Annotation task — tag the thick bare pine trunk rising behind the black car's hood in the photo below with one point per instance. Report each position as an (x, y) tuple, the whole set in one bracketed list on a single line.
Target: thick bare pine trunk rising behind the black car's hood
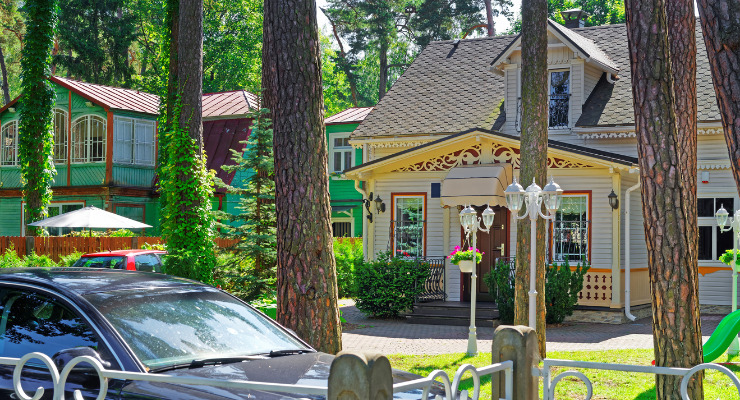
[(291, 76)]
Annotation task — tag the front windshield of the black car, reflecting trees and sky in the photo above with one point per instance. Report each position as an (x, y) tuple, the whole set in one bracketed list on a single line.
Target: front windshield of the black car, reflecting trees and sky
[(173, 326)]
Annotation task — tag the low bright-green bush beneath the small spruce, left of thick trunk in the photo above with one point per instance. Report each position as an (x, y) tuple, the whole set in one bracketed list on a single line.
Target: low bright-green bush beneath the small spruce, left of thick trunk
[(237, 276)]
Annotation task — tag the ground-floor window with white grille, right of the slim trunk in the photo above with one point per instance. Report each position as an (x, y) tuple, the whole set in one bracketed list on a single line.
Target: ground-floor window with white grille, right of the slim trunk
[(570, 239)]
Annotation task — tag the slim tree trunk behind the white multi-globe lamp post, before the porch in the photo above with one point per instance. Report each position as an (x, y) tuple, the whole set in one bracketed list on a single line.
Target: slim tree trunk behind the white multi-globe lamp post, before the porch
[(533, 157)]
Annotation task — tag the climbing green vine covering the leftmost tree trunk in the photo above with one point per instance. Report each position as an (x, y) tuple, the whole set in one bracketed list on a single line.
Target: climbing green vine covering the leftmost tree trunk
[(36, 138)]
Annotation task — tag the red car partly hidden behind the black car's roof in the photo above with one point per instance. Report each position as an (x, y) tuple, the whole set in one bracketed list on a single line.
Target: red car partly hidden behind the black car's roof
[(133, 260)]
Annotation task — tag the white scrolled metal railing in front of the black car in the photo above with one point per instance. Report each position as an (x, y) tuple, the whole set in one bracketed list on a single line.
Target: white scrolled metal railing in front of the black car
[(59, 380)]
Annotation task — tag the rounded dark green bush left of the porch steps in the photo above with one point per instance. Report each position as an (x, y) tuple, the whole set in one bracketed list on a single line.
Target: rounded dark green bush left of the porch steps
[(388, 285)]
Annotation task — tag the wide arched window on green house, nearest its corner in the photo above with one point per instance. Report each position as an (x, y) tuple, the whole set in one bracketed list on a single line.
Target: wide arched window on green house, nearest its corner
[(88, 139)]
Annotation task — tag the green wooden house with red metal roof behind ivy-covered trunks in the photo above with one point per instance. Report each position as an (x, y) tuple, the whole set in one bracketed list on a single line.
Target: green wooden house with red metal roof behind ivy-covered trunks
[(105, 150)]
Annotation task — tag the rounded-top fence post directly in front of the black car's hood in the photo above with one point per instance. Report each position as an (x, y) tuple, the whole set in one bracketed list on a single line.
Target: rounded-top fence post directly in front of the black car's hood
[(356, 376)]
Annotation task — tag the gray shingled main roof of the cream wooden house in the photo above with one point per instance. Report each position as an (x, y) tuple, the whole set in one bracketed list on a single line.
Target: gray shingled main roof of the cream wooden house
[(449, 89)]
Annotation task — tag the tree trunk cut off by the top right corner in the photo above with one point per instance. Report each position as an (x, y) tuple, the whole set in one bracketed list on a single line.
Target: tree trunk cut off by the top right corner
[(720, 23)]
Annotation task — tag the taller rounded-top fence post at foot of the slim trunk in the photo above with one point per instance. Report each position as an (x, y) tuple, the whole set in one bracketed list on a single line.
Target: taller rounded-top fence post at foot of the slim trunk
[(518, 344)]
